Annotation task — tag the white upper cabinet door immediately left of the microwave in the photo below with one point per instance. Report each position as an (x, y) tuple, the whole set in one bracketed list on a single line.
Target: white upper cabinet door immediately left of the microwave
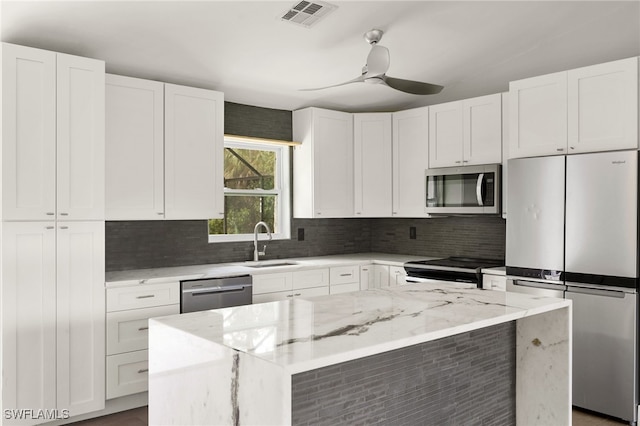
[(410, 160)]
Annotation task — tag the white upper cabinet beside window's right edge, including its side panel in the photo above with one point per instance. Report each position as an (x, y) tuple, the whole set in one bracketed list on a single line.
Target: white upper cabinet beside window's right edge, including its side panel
[(323, 164)]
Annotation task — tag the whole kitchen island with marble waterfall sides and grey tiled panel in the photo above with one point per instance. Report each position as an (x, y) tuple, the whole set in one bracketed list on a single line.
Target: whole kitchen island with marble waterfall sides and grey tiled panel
[(415, 354)]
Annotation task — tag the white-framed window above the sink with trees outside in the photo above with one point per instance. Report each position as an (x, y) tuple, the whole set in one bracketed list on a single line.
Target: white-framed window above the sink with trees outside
[(256, 188)]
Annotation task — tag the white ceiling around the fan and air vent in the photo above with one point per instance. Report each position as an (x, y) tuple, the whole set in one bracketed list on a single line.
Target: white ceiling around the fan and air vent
[(243, 49)]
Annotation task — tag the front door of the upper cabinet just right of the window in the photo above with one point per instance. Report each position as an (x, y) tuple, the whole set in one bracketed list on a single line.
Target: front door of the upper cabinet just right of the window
[(333, 163)]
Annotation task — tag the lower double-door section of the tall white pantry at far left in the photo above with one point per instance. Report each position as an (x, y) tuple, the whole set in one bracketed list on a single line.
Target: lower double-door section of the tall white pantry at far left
[(53, 316)]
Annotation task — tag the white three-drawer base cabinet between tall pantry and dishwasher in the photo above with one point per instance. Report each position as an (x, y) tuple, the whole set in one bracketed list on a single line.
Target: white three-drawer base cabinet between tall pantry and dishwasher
[(128, 311)]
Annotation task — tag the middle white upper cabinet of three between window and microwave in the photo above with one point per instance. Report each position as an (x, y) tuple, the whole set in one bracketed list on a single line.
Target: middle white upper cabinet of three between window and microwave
[(372, 164)]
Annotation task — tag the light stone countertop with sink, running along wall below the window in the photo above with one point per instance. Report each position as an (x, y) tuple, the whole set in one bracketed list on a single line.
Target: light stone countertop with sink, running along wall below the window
[(215, 270)]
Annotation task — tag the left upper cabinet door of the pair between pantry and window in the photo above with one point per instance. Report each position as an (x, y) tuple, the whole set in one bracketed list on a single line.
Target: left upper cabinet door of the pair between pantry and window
[(134, 149)]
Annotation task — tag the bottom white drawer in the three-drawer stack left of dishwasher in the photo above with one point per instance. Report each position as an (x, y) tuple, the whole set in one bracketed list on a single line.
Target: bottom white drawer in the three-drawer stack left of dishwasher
[(127, 373)]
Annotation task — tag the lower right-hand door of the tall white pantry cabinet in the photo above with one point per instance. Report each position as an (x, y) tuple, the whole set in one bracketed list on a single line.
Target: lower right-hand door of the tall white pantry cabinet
[(80, 316)]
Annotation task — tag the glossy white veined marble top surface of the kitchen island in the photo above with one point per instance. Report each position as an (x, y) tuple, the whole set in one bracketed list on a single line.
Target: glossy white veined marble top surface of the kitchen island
[(300, 335)]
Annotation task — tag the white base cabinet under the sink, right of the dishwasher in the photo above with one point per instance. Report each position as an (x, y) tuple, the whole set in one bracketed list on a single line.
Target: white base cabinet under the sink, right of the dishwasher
[(284, 285)]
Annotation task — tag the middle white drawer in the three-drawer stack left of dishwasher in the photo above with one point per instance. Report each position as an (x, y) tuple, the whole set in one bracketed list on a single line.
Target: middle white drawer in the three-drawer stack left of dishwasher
[(128, 331)]
